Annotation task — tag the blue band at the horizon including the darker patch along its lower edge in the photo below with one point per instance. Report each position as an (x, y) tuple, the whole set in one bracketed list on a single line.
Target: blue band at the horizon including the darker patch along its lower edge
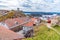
[(41, 13)]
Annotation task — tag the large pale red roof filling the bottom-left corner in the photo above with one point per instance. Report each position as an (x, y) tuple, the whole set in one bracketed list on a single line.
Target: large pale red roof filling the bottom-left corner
[(6, 34)]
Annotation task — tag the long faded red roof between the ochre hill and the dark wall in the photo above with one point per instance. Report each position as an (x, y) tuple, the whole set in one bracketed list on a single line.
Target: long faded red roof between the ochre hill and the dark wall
[(11, 22)]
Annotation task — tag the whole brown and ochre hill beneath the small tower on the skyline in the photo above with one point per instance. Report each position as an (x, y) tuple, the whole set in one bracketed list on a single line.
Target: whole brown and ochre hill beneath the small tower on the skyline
[(11, 14)]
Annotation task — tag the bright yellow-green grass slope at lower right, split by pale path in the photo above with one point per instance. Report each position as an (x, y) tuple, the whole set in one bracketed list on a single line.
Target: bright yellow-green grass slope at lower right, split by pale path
[(43, 33)]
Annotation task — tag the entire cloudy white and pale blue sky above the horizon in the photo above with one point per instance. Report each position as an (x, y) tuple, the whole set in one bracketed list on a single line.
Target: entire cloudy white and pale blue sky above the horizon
[(31, 5)]
